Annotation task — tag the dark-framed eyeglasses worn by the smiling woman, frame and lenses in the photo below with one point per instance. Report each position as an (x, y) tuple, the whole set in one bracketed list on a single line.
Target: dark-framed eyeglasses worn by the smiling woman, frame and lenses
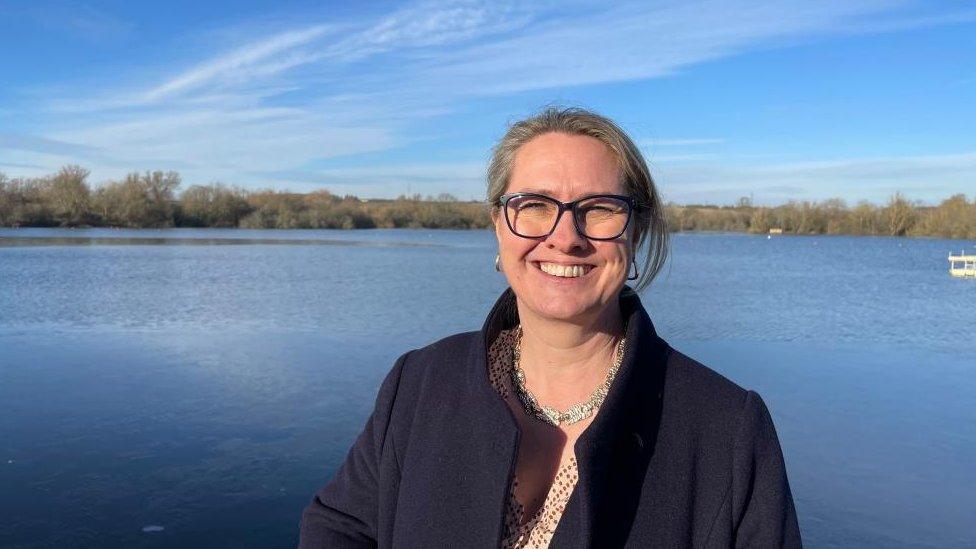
[(597, 217)]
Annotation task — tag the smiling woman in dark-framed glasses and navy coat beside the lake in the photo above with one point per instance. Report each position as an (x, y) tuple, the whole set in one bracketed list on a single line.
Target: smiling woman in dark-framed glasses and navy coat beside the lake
[(566, 421)]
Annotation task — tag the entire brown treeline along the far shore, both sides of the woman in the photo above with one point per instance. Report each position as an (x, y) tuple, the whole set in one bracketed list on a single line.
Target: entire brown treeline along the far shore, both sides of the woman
[(150, 199)]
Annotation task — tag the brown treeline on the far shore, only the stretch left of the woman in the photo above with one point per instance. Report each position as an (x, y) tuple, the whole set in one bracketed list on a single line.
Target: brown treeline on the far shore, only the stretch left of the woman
[(150, 199)]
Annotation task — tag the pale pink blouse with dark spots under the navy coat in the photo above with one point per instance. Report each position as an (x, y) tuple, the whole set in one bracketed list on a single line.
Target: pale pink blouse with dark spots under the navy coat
[(535, 531)]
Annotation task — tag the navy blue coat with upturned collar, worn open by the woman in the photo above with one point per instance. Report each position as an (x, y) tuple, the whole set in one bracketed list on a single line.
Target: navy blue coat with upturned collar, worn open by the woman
[(678, 456)]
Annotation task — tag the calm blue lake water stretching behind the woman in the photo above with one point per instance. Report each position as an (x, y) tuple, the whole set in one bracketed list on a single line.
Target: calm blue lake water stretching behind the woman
[(183, 387)]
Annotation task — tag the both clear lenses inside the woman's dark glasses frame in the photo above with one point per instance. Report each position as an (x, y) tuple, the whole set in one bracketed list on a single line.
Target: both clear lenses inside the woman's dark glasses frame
[(597, 217)]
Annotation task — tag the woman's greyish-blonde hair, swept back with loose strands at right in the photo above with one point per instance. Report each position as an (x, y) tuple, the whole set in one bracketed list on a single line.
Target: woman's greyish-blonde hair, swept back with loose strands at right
[(651, 234)]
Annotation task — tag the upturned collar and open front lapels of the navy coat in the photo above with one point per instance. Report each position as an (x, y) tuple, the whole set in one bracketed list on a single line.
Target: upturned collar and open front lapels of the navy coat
[(613, 452)]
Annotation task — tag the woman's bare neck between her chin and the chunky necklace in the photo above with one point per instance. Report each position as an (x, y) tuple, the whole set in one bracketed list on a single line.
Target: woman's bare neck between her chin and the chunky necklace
[(565, 361)]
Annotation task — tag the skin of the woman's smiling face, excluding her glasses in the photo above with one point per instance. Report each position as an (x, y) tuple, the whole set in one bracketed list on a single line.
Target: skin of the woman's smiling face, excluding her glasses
[(564, 167)]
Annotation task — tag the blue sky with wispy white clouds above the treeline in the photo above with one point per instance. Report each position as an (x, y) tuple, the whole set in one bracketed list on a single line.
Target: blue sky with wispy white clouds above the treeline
[(774, 100)]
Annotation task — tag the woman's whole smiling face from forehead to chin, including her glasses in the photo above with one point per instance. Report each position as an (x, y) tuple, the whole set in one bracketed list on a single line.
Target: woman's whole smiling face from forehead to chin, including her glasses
[(538, 245)]
